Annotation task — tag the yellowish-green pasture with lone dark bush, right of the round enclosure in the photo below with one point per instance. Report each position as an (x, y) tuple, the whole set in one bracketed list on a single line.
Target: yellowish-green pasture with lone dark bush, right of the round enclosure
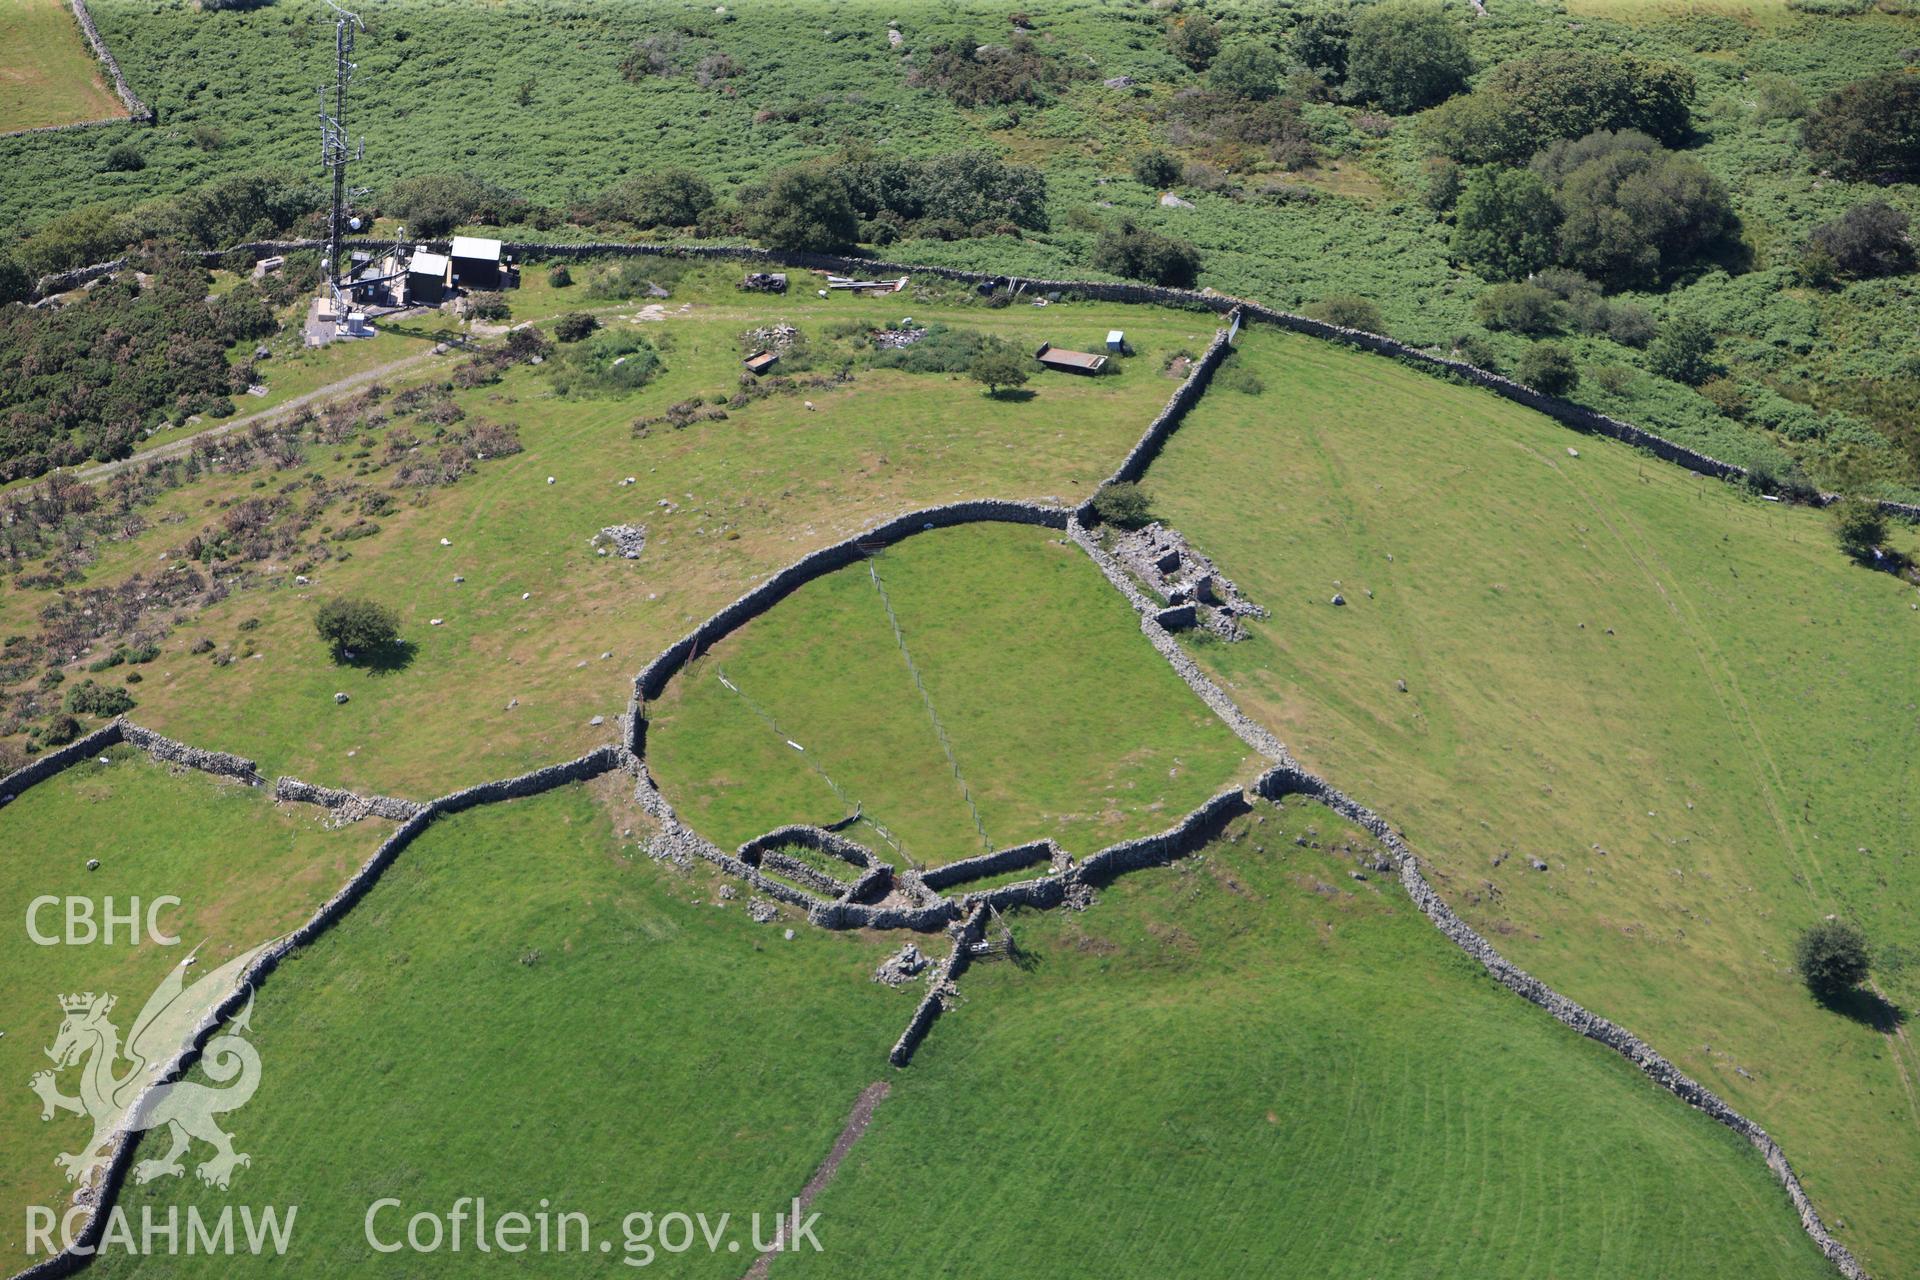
[(1687, 703)]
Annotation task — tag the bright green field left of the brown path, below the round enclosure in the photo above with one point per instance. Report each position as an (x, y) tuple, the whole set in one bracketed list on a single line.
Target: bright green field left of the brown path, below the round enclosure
[(661, 1055)]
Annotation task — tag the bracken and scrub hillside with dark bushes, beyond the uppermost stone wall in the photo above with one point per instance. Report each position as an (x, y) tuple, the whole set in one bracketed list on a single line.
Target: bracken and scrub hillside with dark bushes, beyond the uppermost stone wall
[(1692, 168)]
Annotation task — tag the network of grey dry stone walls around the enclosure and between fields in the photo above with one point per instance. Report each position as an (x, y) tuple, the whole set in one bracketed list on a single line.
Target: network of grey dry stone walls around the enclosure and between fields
[(967, 920)]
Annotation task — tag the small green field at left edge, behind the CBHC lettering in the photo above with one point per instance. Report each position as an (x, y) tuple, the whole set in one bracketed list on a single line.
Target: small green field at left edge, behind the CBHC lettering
[(243, 868)]
